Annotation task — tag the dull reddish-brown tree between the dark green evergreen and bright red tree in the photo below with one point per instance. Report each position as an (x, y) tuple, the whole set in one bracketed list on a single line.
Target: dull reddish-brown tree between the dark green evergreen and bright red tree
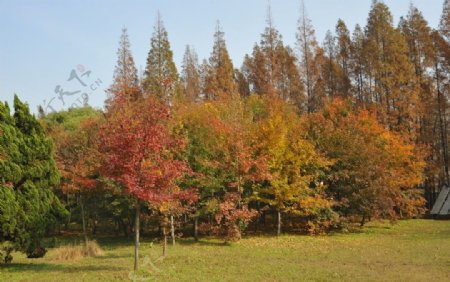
[(75, 135)]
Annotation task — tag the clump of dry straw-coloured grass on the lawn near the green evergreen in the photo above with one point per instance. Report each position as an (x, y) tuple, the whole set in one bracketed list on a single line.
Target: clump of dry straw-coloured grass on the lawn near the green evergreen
[(76, 252)]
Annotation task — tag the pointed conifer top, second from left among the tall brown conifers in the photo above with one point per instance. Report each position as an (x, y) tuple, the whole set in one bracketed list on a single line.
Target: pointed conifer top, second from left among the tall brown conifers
[(161, 76)]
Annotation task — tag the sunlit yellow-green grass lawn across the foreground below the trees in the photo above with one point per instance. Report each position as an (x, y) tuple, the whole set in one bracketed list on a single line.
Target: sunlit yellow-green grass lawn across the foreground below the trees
[(413, 250)]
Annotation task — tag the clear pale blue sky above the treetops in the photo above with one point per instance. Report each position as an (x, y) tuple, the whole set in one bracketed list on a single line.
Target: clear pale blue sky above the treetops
[(43, 41)]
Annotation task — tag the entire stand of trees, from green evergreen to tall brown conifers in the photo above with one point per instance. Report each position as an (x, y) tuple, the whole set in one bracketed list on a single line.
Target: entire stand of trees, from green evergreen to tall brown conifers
[(309, 138)]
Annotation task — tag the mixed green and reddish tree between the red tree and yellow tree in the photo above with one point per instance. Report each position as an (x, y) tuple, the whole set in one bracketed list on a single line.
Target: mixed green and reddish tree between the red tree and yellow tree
[(224, 157)]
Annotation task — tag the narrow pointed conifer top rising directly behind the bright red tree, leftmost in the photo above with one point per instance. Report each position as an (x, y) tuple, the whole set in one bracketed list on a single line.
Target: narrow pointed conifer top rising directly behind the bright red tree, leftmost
[(125, 82)]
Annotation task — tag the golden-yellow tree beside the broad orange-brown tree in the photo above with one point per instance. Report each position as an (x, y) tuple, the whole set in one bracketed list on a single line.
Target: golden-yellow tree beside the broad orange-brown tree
[(293, 163)]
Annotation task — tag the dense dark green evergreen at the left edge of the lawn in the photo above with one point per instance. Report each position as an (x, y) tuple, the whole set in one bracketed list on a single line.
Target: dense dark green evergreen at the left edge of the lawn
[(28, 207)]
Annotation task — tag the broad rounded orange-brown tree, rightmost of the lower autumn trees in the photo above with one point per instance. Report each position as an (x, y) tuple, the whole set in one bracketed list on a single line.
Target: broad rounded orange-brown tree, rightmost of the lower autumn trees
[(375, 172)]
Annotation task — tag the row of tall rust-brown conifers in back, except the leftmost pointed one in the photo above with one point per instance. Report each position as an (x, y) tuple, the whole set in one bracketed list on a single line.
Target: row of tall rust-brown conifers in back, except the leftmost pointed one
[(400, 73)]
